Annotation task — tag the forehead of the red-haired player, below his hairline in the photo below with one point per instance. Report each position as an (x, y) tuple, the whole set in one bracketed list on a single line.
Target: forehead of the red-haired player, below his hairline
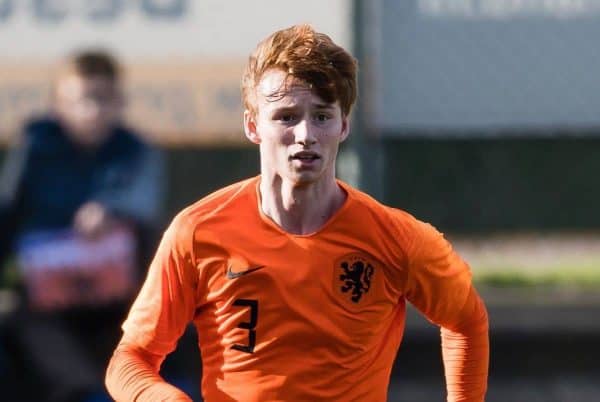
[(278, 89)]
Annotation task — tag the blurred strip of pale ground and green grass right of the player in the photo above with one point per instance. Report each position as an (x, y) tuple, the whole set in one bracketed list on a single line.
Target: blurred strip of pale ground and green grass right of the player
[(525, 260)]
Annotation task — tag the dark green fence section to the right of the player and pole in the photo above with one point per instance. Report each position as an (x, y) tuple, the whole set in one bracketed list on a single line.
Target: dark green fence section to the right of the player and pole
[(475, 185)]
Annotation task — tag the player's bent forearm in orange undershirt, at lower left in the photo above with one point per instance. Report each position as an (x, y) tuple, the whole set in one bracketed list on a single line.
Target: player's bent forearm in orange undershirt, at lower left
[(132, 375)]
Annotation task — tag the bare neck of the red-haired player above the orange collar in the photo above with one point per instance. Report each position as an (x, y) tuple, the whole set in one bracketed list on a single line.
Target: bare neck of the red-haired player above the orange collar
[(300, 208)]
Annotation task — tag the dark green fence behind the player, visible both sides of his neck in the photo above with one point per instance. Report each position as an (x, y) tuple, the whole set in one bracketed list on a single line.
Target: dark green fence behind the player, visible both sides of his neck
[(460, 185)]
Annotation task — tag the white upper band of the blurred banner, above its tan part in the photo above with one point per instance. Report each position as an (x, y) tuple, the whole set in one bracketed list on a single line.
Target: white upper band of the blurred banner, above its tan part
[(139, 31)]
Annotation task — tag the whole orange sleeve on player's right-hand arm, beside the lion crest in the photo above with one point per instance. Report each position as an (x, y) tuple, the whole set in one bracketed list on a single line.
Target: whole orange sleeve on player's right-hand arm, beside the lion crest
[(439, 285)]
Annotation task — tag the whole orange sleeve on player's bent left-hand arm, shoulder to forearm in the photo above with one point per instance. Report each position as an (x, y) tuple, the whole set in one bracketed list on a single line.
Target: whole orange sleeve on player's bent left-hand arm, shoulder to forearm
[(157, 319)]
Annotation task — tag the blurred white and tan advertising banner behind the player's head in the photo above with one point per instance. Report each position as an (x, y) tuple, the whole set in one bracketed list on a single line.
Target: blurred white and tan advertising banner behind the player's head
[(183, 59)]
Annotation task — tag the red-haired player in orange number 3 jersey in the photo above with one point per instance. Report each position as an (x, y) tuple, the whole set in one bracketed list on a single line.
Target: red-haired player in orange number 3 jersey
[(296, 282)]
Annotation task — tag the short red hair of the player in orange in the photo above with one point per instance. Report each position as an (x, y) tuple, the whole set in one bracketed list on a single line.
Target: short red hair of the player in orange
[(308, 56)]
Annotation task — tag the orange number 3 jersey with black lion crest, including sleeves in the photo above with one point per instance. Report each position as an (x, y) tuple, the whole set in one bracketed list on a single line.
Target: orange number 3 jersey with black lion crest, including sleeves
[(316, 317)]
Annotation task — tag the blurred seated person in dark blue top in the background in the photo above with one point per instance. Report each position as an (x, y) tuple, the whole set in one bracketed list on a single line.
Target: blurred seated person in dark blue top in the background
[(79, 198)]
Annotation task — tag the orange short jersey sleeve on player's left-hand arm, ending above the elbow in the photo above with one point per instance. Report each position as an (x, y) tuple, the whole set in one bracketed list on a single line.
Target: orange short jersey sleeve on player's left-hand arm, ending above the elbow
[(167, 301)]
